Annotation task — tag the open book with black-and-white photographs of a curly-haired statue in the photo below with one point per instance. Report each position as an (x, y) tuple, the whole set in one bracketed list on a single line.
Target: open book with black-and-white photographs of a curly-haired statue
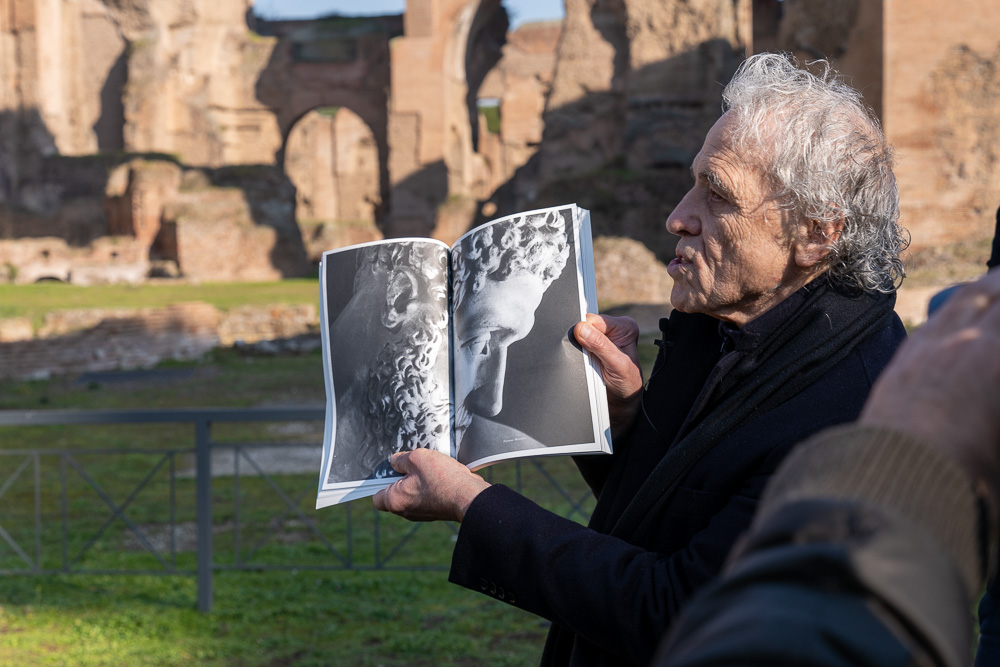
[(467, 350)]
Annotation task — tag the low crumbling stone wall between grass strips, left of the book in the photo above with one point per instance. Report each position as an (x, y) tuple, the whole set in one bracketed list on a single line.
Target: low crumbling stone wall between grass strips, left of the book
[(77, 341)]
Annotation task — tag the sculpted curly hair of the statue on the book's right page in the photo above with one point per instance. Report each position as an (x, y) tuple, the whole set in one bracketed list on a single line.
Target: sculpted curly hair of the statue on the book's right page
[(538, 245)]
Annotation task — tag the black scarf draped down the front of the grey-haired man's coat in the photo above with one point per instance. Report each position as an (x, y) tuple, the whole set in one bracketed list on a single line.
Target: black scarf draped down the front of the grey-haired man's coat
[(818, 335)]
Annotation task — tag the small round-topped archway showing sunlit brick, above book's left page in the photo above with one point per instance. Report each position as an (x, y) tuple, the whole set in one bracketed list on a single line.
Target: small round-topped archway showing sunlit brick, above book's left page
[(332, 157)]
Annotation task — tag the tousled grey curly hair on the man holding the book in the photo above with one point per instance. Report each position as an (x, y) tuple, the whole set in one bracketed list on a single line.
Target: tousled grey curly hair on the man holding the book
[(826, 156)]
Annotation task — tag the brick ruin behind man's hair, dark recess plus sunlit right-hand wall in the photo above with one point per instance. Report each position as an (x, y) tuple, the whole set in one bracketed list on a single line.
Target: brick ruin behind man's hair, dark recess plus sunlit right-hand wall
[(932, 72)]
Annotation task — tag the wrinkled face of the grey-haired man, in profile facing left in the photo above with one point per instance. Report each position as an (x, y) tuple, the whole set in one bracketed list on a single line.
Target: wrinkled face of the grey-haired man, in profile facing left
[(733, 256)]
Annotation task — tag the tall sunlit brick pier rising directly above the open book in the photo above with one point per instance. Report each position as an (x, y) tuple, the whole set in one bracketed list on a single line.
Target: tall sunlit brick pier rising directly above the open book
[(434, 164)]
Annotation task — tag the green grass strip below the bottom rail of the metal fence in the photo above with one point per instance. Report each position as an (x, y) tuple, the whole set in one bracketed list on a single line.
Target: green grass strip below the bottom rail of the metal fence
[(261, 618)]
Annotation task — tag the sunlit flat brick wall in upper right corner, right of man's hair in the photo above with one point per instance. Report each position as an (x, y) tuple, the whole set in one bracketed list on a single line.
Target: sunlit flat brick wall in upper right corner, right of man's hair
[(942, 111)]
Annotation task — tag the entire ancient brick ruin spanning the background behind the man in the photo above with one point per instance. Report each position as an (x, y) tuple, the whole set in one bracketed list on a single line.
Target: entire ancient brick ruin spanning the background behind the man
[(192, 139)]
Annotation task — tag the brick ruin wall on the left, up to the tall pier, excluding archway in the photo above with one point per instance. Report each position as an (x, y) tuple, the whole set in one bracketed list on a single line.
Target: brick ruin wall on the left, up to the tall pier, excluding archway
[(188, 86)]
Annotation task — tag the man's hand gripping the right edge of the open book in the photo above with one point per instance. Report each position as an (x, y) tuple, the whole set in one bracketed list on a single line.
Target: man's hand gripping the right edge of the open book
[(614, 343)]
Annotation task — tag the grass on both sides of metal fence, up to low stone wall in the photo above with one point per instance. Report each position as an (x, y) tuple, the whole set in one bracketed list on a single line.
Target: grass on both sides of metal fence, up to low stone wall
[(304, 617)]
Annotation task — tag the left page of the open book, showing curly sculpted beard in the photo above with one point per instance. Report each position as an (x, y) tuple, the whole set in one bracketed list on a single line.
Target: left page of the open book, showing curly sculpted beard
[(385, 358)]
